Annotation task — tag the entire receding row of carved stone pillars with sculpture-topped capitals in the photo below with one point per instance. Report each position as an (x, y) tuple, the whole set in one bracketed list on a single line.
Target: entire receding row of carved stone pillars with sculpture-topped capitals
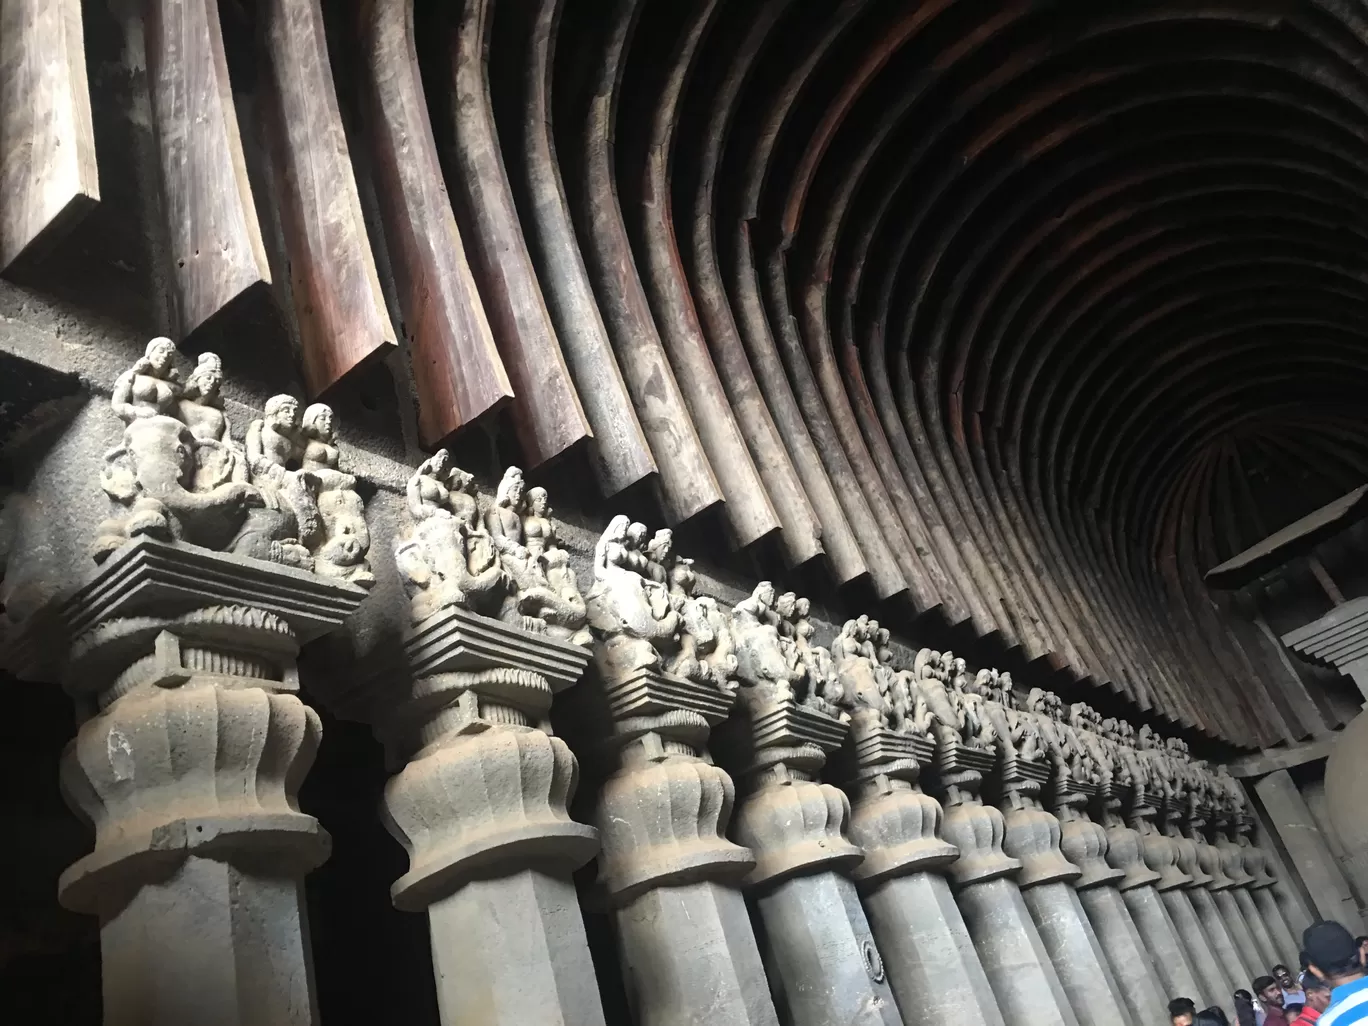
[(769, 813)]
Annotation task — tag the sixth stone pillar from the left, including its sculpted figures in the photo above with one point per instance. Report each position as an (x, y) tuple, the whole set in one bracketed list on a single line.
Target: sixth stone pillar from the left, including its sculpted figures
[(1010, 947)]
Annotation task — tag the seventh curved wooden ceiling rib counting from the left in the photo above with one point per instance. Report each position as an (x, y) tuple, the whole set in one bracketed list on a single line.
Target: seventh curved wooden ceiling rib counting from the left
[(687, 481)]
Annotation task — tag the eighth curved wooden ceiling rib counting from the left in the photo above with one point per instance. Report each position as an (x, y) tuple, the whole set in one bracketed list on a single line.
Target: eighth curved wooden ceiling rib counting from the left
[(750, 514)]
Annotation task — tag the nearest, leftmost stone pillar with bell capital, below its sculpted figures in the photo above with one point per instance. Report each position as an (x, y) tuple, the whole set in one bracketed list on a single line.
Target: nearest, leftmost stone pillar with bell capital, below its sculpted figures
[(188, 761)]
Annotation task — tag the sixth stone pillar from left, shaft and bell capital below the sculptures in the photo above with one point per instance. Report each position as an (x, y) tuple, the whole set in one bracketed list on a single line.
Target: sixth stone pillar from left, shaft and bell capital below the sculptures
[(1013, 954)]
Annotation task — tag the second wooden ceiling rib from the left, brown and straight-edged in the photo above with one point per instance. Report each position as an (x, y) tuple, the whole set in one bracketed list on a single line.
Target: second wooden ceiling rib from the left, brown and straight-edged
[(215, 250)]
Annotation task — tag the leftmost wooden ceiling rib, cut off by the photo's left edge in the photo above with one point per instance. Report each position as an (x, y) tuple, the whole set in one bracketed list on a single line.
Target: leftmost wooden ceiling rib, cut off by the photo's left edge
[(49, 176)]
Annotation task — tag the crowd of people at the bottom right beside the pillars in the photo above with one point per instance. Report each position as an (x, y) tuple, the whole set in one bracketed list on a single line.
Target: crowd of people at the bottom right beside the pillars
[(1332, 990)]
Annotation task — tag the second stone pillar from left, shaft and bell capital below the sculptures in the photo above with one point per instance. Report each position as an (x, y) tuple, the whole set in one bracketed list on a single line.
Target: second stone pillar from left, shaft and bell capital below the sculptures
[(479, 804)]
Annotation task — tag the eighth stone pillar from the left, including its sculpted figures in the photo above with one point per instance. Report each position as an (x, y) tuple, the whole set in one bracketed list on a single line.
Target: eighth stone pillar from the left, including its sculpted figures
[(1083, 776)]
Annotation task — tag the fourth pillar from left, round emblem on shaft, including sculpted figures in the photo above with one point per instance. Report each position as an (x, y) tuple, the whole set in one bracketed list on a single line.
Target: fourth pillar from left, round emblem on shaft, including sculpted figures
[(820, 954)]
